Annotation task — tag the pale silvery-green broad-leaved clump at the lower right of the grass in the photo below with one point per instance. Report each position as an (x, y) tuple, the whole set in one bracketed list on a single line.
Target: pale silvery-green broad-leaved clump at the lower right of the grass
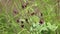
[(45, 28)]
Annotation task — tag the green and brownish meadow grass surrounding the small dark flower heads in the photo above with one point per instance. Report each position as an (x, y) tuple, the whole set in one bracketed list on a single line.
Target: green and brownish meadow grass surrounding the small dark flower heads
[(8, 19)]
